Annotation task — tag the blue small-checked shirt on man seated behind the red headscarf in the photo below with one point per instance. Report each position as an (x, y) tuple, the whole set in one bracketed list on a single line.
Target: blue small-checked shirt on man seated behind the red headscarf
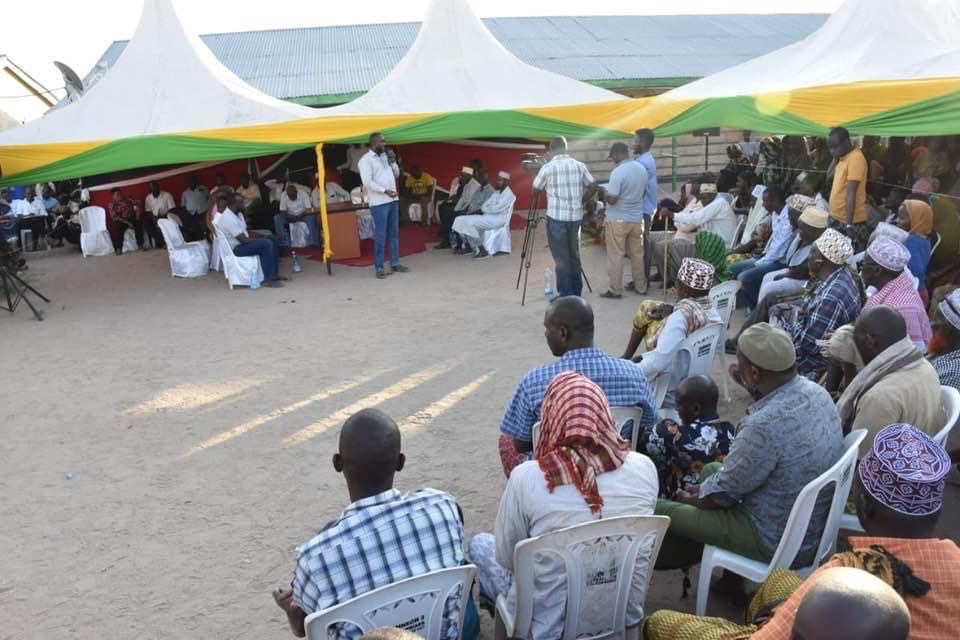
[(621, 380)]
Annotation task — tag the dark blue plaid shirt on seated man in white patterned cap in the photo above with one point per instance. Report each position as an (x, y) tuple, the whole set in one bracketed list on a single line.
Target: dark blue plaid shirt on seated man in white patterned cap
[(832, 304)]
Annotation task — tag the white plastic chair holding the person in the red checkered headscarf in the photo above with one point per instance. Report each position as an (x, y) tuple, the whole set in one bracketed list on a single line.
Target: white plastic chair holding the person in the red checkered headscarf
[(599, 559)]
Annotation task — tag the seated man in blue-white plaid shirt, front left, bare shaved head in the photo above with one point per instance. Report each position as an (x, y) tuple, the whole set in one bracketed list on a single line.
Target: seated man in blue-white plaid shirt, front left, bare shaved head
[(382, 537)]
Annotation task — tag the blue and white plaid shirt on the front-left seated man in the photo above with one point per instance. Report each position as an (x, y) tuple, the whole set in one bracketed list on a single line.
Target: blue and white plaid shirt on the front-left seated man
[(378, 541)]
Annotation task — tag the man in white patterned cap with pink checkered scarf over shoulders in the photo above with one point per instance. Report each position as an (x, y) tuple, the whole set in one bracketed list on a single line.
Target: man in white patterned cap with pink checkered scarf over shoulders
[(884, 268)]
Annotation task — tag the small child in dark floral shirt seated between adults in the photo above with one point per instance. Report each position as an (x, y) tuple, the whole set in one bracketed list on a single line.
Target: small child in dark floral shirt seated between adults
[(680, 451)]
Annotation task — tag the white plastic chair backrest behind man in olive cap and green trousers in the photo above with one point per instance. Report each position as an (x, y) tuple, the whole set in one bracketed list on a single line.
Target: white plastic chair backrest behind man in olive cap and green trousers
[(841, 476)]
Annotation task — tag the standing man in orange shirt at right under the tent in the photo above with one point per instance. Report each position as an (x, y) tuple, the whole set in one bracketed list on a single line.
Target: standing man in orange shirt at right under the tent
[(848, 199)]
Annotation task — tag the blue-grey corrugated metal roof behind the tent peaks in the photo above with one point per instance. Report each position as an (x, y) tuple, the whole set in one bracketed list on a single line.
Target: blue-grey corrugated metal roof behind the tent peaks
[(294, 64)]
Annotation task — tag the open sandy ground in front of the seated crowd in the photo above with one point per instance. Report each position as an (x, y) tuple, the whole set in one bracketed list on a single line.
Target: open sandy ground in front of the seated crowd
[(166, 443)]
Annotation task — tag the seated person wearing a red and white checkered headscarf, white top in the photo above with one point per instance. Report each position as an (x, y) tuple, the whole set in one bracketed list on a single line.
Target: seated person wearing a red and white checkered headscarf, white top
[(582, 470)]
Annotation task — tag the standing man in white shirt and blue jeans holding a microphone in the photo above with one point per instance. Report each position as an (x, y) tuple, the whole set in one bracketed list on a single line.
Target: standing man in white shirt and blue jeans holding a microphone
[(379, 172)]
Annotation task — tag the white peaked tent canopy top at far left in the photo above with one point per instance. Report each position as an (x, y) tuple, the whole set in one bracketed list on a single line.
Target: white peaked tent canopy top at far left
[(166, 81)]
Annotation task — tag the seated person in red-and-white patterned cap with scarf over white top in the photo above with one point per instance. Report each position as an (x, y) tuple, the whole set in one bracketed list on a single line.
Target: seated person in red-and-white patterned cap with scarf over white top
[(694, 311)]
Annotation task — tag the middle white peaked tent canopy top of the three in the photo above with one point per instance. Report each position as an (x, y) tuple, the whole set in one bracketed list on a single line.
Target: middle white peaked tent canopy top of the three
[(456, 64)]
